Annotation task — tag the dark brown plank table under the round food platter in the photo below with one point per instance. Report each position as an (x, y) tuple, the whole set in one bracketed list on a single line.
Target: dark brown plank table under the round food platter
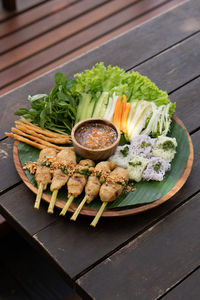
[(152, 255)]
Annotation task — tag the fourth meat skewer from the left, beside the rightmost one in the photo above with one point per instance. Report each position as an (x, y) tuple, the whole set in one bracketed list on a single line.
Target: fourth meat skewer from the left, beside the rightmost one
[(94, 183)]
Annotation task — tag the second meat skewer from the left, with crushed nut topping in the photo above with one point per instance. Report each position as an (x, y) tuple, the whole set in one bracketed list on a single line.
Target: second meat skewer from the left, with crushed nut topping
[(65, 162)]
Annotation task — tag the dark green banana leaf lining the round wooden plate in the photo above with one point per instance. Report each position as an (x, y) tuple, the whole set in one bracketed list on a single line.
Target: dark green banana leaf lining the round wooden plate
[(146, 192)]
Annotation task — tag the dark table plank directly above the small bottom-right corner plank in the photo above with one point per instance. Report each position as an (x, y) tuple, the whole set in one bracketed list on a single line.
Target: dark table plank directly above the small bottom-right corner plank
[(154, 262)]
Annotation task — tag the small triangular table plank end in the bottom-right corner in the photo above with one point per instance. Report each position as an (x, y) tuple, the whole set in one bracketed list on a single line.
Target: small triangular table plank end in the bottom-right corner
[(188, 289)]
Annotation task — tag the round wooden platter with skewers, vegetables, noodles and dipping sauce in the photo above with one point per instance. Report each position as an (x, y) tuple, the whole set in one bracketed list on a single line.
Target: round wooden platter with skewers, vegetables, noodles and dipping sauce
[(136, 158)]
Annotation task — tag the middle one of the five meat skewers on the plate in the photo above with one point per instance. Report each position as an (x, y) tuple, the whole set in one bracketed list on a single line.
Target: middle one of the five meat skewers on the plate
[(77, 182)]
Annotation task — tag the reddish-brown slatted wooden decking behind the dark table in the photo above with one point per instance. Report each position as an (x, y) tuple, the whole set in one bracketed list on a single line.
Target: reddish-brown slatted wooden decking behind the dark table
[(53, 32)]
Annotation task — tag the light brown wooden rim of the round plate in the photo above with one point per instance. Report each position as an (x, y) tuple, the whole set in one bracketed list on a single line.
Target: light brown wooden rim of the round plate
[(109, 213)]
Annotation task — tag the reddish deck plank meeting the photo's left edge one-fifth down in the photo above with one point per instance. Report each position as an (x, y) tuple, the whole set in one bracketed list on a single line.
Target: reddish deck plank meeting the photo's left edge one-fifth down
[(58, 34)]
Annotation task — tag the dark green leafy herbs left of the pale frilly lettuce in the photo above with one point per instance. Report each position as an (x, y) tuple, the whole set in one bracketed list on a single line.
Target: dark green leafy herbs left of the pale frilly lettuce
[(56, 111)]
